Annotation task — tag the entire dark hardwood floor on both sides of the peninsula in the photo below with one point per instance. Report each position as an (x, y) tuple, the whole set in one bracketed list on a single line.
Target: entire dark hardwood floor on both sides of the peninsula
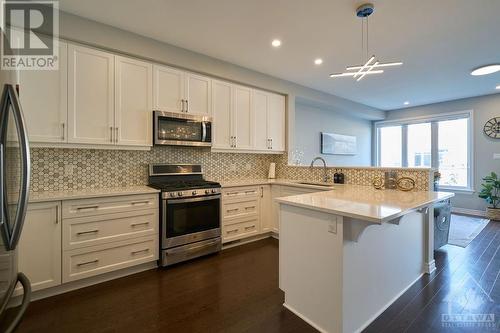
[(237, 291)]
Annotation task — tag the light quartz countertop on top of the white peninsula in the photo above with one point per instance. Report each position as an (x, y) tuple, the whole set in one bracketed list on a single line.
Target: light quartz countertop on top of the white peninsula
[(365, 202)]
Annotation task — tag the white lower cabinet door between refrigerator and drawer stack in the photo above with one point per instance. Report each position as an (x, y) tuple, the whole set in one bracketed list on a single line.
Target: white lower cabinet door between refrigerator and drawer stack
[(39, 250)]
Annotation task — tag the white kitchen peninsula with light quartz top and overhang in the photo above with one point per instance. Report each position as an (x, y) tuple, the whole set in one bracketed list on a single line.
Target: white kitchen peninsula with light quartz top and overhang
[(346, 254)]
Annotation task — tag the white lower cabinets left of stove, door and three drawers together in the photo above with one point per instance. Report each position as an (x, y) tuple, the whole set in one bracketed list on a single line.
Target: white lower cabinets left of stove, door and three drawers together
[(64, 241)]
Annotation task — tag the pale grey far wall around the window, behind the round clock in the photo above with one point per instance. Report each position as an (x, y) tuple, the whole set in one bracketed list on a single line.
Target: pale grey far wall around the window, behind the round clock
[(484, 108)]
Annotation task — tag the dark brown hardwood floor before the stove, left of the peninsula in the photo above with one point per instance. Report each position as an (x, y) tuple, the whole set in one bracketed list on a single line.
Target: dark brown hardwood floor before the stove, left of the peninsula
[(234, 291)]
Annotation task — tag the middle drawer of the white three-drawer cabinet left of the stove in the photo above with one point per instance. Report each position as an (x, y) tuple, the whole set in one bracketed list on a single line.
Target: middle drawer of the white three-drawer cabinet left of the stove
[(102, 229)]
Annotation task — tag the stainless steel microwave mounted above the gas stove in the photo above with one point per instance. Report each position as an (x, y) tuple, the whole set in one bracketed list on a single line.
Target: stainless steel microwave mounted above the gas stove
[(174, 129)]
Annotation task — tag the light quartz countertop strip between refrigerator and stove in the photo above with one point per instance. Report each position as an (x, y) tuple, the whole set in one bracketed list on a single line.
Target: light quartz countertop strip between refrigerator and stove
[(89, 193)]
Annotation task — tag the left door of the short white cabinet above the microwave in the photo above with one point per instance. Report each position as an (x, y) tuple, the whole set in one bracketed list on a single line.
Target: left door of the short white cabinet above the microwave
[(168, 89)]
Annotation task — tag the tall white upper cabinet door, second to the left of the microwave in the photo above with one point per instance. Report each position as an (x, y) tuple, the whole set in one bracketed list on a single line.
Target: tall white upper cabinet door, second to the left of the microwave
[(90, 96)]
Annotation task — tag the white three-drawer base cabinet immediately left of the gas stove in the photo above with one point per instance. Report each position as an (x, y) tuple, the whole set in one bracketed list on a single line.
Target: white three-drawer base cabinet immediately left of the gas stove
[(101, 235)]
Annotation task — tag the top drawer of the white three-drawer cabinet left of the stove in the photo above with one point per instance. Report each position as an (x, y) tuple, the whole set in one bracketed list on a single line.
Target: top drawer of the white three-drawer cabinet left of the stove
[(108, 205)]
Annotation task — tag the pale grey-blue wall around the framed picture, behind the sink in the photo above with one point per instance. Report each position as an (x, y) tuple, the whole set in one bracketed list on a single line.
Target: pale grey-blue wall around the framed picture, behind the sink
[(310, 121)]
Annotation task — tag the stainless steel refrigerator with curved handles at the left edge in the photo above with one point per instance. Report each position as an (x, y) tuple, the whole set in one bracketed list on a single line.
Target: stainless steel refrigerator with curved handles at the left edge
[(14, 191)]
